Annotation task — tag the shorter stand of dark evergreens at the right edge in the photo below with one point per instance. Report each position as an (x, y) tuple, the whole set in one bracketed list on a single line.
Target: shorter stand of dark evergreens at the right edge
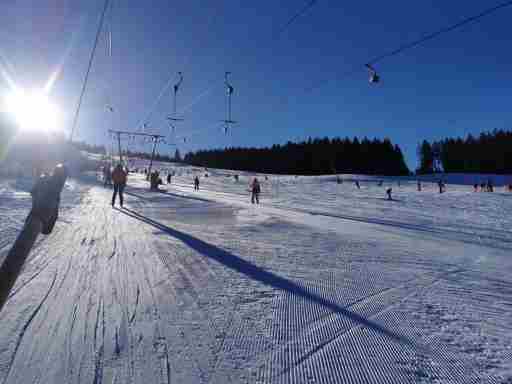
[(491, 152)]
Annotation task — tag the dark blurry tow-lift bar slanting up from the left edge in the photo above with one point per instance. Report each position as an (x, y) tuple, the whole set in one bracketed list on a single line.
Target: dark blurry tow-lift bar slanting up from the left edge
[(41, 219)]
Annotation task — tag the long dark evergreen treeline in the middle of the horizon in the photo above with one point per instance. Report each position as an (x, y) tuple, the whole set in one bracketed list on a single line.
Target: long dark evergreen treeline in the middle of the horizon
[(312, 157)]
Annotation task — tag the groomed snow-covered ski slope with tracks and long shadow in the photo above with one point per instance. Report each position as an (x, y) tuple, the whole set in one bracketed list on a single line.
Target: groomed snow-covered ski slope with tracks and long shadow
[(320, 283)]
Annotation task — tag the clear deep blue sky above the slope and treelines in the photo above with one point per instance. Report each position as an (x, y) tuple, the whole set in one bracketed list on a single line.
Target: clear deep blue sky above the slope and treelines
[(454, 85)]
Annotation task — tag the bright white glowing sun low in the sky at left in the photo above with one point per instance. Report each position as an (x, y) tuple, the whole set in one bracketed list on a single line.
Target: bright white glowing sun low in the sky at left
[(33, 111)]
